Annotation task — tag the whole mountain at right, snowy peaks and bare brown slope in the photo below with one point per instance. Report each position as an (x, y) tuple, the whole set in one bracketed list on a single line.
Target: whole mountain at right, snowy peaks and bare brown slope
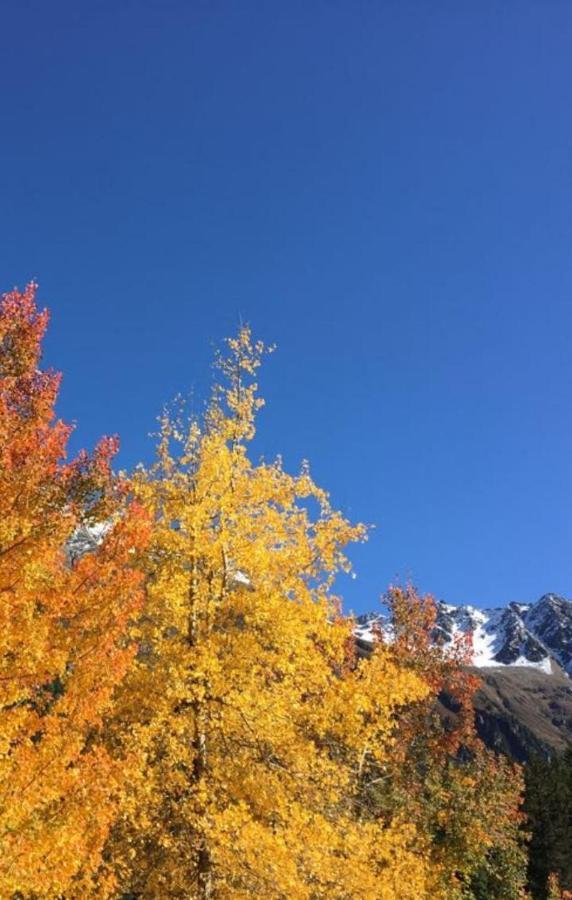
[(523, 655)]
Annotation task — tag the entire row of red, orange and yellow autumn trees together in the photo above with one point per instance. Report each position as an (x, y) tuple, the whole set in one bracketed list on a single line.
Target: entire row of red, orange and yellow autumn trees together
[(183, 713)]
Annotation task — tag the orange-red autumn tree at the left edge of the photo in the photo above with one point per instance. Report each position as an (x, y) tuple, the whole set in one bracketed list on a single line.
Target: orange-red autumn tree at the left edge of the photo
[(63, 624)]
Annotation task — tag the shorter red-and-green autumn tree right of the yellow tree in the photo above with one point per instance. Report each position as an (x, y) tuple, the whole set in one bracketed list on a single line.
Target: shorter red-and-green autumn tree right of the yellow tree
[(464, 799)]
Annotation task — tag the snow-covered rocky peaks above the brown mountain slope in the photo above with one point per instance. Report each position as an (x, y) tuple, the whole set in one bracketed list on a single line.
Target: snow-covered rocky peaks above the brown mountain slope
[(537, 635)]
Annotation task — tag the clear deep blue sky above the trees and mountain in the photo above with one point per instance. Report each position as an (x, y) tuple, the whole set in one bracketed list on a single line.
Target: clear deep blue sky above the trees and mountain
[(383, 189)]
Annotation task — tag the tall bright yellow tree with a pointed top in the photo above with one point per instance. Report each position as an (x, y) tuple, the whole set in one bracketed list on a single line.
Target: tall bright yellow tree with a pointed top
[(248, 711)]
